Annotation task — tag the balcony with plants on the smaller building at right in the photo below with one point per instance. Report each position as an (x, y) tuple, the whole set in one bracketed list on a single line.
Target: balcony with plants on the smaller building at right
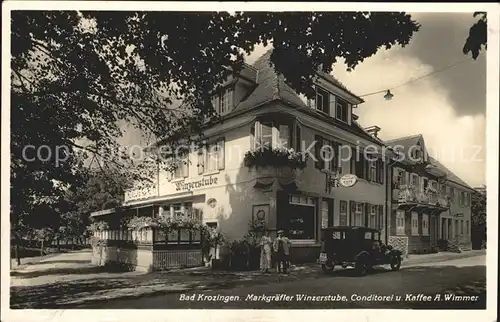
[(410, 194)]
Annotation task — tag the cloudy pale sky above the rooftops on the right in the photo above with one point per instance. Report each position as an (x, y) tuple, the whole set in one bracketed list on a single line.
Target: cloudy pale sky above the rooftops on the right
[(447, 108)]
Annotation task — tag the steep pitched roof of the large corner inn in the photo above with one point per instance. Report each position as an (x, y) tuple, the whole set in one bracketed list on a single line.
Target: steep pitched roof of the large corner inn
[(271, 86)]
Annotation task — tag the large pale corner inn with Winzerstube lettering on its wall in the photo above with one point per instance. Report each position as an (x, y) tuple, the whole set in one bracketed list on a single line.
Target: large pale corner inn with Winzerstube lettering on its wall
[(258, 109)]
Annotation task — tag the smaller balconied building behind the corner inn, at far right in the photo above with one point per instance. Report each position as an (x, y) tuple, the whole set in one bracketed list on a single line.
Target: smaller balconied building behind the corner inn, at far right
[(429, 202)]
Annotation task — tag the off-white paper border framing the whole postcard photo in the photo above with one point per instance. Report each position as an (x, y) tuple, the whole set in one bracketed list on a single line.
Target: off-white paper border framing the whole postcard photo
[(236, 315)]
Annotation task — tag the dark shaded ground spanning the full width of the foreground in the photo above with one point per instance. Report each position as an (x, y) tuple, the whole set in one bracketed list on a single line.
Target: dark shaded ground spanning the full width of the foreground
[(149, 290)]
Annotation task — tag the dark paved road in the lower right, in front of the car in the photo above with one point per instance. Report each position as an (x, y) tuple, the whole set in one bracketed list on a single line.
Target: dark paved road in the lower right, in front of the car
[(465, 276)]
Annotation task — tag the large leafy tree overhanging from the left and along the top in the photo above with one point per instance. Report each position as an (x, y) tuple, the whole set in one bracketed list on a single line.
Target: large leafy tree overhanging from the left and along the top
[(76, 76)]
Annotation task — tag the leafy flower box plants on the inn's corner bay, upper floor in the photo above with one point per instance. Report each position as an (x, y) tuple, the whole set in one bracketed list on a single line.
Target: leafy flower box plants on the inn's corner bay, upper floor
[(278, 157)]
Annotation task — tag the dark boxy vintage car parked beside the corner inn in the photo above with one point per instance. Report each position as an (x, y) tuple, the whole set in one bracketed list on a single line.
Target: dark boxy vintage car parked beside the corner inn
[(358, 247)]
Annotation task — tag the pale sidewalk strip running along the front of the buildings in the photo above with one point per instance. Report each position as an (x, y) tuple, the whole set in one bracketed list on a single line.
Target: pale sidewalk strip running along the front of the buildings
[(68, 280)]
